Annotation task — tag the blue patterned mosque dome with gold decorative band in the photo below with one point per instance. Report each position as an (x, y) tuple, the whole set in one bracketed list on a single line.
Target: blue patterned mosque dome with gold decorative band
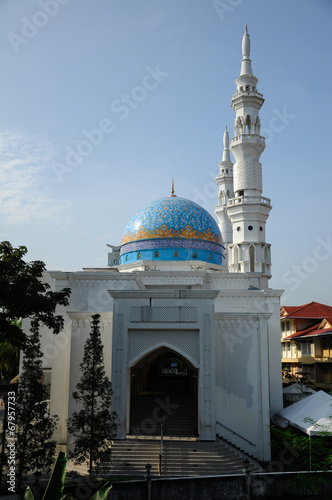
[(172, 228)]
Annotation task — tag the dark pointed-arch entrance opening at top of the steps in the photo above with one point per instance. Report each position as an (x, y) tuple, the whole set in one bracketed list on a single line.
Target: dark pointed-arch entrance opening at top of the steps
[(164, 390)]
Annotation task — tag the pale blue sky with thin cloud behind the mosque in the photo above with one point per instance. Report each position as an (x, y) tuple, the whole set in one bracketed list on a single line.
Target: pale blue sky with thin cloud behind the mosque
[(102, 103)]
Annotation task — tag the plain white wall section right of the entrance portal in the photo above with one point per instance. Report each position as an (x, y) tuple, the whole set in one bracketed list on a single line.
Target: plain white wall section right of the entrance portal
[(242, 391)]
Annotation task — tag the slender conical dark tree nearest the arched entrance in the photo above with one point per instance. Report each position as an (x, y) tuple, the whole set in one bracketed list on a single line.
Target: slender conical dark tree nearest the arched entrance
[(94, 424)]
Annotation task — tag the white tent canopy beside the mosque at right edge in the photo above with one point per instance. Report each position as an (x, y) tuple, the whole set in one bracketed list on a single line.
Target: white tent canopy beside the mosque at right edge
[(317, 408)]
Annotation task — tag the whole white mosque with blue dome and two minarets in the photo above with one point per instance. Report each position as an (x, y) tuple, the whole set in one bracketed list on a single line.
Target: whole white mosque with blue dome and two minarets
[(189, 324)]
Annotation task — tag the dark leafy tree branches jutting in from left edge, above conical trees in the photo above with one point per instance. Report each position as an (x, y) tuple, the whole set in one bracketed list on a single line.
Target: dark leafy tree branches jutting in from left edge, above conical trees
[(23, 294)]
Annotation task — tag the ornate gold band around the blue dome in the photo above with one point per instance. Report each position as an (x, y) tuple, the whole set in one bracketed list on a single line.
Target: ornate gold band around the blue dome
[(165, 232)]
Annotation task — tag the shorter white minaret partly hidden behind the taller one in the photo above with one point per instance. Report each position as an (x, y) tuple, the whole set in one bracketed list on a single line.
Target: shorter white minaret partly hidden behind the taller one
[(226, 191)]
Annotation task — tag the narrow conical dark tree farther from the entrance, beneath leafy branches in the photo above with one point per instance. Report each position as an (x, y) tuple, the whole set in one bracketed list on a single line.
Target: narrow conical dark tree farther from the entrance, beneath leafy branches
[(35, 426)]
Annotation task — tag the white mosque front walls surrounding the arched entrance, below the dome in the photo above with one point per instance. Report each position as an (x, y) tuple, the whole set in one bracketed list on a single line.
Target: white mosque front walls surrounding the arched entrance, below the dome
[(236, 331)]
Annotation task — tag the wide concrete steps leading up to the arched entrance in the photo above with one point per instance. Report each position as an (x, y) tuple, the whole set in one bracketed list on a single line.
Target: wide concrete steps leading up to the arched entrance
[(181, 458)]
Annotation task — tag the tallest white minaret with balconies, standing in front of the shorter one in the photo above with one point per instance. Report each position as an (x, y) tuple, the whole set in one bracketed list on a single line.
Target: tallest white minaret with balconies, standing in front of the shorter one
[(248, 210)]
